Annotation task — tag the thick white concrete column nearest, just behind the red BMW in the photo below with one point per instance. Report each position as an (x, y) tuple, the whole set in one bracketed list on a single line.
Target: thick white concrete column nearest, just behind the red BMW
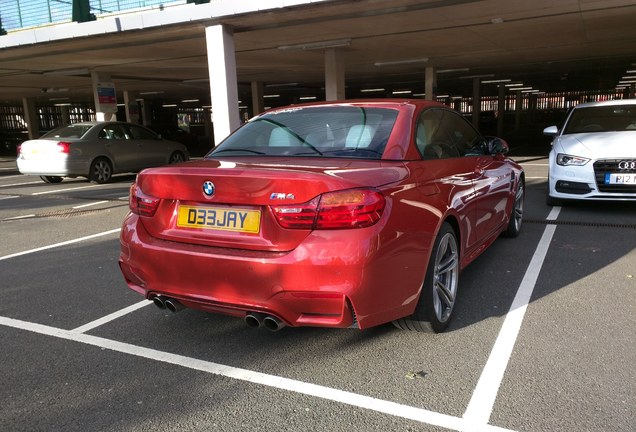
[(223, 83)]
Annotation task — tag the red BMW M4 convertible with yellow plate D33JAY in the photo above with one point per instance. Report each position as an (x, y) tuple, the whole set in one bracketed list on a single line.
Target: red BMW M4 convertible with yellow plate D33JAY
[(335, 214)]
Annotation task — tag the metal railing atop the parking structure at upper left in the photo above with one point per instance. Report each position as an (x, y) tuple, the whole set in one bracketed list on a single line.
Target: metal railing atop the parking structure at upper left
[(19, 14)]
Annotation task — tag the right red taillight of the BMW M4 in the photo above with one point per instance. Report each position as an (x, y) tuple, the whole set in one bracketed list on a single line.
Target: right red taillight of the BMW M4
[(352, 208)]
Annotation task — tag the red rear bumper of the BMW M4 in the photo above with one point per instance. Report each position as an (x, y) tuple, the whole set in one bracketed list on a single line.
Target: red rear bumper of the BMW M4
[(317, 284)]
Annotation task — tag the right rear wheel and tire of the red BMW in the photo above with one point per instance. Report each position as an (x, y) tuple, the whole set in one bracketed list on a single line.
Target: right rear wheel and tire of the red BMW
[(435, 306)]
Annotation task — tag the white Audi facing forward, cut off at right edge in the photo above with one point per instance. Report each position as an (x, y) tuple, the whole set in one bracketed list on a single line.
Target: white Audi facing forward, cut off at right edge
[(593, 156)]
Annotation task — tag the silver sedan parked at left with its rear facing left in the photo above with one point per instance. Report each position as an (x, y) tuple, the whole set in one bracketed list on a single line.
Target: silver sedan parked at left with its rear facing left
[(96, 150)]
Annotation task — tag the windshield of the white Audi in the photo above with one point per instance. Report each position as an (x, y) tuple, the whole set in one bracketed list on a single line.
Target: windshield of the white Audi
[(601, 119)]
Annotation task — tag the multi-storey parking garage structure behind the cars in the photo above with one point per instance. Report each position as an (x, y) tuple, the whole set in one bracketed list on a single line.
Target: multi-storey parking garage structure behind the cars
[(222, 62)]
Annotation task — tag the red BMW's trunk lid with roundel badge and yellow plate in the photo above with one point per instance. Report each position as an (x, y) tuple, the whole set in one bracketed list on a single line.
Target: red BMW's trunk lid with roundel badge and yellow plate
[(237, 214)]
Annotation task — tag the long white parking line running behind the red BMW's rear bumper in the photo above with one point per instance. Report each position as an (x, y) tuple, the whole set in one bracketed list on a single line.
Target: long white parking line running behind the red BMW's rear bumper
[(327, 393)]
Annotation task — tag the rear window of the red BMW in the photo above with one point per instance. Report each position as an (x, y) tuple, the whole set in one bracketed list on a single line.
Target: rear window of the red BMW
[(329, 131)]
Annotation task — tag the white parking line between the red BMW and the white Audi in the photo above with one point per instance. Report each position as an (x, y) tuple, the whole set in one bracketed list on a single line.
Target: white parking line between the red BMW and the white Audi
[(483, 399)]
